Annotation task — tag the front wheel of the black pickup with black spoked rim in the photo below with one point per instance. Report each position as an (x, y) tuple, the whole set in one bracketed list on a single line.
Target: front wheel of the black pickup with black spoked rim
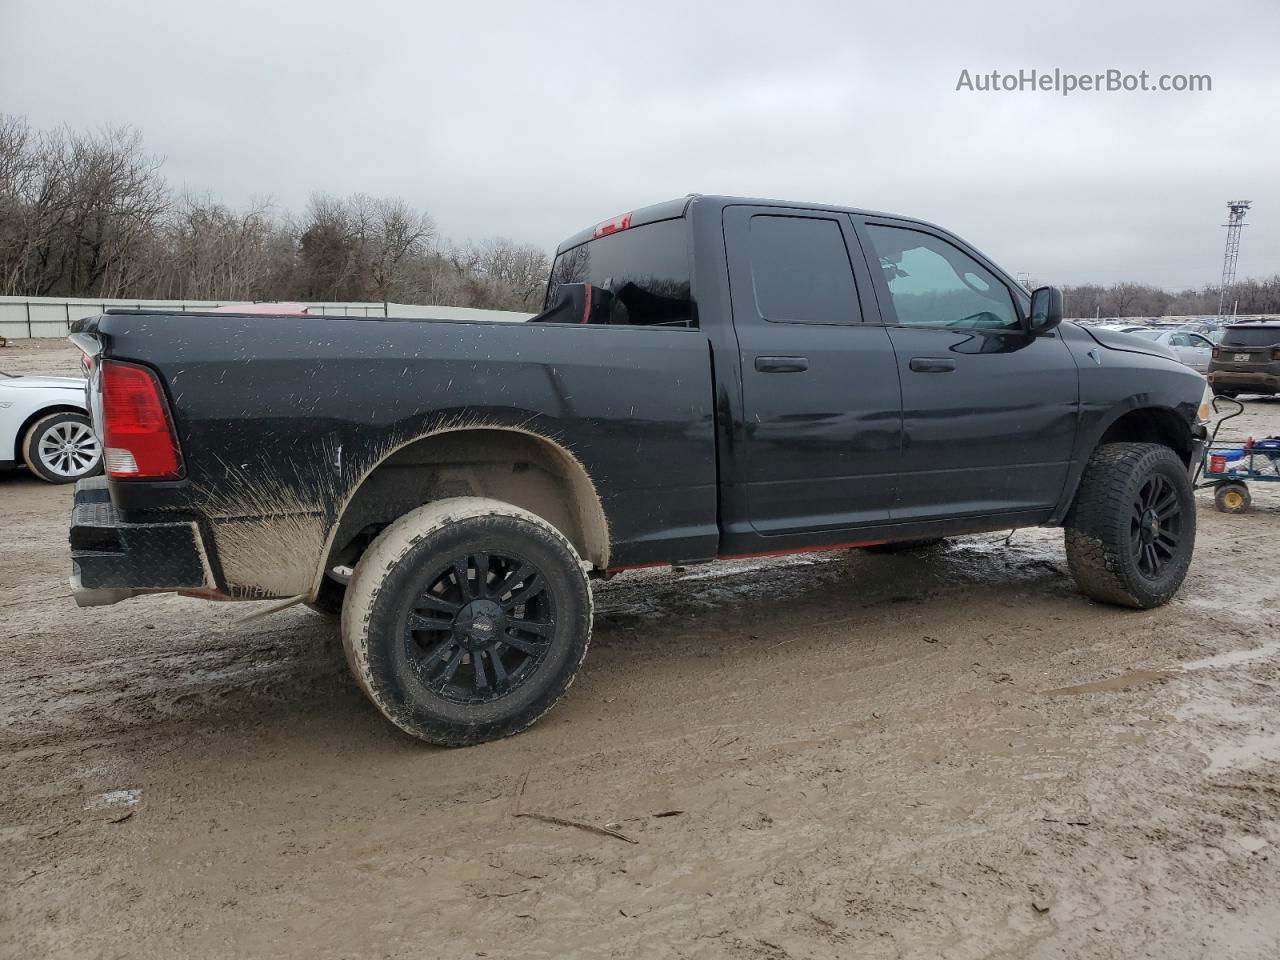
[(1108, 527)]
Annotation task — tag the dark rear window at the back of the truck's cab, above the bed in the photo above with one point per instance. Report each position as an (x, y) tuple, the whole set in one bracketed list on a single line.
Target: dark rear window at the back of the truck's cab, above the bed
[(646, 269)]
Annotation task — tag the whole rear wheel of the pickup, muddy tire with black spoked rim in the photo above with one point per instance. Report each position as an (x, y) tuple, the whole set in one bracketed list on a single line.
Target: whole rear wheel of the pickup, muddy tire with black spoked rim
[(397, 574)]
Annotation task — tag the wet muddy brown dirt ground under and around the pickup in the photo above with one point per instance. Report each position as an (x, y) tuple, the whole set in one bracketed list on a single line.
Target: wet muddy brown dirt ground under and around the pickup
[(833, 756)]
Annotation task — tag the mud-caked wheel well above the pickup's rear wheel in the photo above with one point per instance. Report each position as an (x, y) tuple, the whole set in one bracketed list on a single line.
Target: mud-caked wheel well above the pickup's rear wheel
[(511, 465)]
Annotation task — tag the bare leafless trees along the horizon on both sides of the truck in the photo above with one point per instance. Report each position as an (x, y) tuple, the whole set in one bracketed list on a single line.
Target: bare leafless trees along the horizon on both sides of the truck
[(90, 214)]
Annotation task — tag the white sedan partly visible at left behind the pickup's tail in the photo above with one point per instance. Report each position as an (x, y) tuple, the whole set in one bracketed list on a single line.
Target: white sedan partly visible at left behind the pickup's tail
[(45, 426)]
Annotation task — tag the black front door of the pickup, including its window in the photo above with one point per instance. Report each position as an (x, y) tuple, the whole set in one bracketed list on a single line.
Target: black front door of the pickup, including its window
[(989, 412)]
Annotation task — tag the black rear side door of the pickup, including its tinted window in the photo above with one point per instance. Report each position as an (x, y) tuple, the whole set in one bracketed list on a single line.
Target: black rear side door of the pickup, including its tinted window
[(822, 406)]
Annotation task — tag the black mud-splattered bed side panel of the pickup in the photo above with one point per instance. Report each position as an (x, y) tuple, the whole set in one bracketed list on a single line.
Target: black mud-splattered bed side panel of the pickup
[(282, 420)]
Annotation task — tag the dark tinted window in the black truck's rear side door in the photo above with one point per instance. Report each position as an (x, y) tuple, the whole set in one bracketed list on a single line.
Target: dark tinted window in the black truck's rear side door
[(801, 272)]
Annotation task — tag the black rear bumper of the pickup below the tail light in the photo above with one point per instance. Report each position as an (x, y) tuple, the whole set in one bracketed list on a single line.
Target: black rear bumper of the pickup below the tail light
[(113, 560)]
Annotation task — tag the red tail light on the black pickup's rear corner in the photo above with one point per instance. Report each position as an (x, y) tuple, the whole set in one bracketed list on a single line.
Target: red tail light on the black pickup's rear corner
[(138, 431)]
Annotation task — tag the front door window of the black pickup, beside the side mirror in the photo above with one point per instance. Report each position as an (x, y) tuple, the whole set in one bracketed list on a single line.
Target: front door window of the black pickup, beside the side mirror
[(934, 284)]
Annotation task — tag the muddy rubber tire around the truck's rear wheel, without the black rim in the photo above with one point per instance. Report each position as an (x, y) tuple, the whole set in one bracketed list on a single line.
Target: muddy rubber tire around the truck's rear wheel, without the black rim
[(391, 578)]
